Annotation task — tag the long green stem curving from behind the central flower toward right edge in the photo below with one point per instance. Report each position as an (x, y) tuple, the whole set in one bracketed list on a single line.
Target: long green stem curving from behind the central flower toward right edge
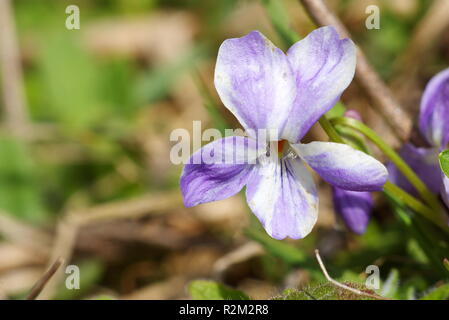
[(422, 189)]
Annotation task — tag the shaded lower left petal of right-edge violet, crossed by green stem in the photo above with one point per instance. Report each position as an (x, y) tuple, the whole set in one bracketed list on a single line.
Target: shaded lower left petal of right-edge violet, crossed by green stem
[(424, 162)]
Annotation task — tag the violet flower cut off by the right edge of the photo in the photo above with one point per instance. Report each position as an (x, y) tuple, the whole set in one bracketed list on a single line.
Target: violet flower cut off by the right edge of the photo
[(434, 126)]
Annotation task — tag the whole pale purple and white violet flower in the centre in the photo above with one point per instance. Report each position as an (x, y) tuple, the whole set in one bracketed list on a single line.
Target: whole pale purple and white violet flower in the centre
[(286, 94)]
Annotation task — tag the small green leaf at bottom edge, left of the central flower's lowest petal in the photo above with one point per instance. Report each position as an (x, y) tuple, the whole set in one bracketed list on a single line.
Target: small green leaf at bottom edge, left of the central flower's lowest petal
[(211, 290)]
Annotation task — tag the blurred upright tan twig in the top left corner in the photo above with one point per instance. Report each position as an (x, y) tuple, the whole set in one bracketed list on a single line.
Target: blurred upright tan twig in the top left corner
[(11, 73)]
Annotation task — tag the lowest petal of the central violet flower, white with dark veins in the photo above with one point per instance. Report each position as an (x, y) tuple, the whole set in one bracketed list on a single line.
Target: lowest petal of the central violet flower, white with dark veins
[(282, 195)]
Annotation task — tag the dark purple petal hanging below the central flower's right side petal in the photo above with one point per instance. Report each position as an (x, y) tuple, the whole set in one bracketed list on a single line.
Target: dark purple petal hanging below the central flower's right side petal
[(353, 207)]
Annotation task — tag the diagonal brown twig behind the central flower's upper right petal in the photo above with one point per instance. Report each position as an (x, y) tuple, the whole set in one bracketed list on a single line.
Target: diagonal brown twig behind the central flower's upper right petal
[(384, 101)]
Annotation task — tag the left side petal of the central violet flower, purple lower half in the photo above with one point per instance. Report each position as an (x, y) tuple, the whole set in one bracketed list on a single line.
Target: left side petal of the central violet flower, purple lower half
[(218, 170)]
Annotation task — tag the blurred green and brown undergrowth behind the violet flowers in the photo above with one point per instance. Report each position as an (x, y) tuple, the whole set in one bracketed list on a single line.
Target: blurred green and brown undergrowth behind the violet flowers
[(85, 172)]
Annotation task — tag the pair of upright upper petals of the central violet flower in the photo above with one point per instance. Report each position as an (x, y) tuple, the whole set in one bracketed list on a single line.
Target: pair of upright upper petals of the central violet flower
[(267, 89)]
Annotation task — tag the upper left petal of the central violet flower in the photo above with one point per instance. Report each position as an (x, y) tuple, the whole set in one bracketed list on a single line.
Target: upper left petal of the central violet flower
[(255, 82)]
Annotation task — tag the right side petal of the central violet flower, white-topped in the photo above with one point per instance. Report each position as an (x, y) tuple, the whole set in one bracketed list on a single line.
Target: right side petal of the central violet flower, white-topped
[(343, 166)]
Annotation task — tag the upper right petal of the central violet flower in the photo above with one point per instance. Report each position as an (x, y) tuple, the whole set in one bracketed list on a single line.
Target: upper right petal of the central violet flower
[(324, 66)]
